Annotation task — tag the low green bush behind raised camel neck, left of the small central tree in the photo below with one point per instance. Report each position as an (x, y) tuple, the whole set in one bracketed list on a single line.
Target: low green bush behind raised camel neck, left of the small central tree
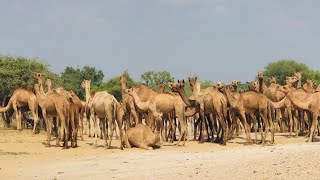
[(113, 86)]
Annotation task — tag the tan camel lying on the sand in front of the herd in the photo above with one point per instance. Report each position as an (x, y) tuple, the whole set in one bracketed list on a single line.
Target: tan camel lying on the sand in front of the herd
[(141, 136)]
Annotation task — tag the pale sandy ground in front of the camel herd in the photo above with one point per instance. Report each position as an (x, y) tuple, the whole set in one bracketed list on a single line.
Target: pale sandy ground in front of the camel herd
[(23, 156)]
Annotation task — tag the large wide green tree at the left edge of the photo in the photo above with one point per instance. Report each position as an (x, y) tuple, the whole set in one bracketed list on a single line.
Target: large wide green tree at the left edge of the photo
[(15, 72)]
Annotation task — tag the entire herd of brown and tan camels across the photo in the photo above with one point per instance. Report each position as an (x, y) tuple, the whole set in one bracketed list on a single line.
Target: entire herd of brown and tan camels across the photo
[(146, 118)]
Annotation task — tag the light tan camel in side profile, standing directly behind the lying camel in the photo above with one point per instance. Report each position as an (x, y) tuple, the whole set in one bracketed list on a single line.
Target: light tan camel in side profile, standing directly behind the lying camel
[(164, 104)]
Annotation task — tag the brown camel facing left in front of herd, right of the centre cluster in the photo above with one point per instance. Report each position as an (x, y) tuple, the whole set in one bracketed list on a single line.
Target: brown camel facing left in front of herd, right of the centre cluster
[(251, 102)]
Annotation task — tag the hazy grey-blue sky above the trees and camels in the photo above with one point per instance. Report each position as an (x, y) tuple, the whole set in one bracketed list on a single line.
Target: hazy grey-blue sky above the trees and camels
[(217, 40)]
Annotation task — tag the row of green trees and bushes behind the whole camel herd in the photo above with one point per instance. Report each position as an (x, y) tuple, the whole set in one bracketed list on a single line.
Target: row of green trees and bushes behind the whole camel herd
[(15, 72)]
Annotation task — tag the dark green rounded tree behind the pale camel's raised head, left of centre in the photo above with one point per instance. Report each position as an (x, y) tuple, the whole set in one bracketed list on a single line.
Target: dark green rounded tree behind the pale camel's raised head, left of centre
[(73, 77)]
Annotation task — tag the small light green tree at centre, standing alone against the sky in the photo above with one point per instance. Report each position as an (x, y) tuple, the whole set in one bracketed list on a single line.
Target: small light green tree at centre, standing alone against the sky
[(153, 79)]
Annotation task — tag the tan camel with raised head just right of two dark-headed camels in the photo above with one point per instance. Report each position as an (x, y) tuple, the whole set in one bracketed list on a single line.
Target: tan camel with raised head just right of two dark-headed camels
[(211, 101)]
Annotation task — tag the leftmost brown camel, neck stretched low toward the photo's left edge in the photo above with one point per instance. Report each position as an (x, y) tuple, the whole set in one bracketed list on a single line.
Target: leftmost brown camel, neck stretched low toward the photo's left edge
[(20, 99)]
